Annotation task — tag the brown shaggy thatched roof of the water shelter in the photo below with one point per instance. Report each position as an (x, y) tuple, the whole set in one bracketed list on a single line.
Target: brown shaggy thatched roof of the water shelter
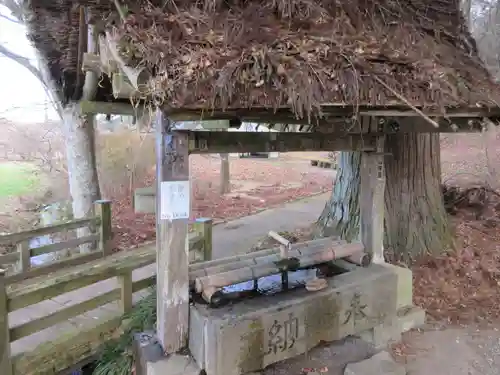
[(274, 53)]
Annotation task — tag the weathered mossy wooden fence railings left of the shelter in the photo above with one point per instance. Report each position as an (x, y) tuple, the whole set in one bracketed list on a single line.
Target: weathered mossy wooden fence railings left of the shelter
[(28, 286)]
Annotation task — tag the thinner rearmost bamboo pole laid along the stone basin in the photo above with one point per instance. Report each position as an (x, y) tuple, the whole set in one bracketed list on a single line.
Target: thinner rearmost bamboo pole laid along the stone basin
[(258, 258)]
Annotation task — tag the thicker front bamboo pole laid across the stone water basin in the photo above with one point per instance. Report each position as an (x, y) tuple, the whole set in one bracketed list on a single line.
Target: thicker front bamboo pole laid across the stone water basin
[(254, 272)]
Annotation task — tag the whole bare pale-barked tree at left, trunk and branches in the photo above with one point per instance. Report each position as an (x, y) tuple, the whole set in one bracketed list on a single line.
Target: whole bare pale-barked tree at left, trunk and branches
[(78, 129)]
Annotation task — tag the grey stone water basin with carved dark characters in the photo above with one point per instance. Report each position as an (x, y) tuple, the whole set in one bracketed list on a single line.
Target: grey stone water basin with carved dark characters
[(255, 333)]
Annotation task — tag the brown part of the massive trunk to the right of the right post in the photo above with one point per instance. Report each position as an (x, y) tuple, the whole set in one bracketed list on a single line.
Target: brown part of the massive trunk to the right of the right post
[(416, 222)]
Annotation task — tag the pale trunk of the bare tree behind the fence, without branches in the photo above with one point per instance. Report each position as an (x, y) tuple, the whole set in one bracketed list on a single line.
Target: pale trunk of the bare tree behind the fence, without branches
[(82, 165)]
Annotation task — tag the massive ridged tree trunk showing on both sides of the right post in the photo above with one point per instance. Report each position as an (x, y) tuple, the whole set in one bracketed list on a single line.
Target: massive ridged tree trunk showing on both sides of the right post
[(415, 219)]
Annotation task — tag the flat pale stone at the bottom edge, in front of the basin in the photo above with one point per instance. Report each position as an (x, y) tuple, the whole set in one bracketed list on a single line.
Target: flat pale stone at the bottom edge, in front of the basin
[(380, 364)]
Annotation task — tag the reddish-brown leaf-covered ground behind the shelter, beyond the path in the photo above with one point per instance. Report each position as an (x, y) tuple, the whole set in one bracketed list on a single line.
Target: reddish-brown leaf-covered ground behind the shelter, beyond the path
[(256, 184)]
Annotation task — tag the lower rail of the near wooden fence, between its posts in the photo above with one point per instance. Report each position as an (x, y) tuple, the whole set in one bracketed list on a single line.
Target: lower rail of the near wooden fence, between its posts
[(62, 315)]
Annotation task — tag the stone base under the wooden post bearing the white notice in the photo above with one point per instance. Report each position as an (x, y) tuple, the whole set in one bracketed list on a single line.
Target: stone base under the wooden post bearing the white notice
[(150, 360)]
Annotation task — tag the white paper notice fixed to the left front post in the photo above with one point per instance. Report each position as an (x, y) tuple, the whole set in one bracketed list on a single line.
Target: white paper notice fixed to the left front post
[(175, 200)]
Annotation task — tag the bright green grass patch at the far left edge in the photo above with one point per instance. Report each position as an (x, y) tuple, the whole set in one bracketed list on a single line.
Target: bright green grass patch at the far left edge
[(17, 179)]
